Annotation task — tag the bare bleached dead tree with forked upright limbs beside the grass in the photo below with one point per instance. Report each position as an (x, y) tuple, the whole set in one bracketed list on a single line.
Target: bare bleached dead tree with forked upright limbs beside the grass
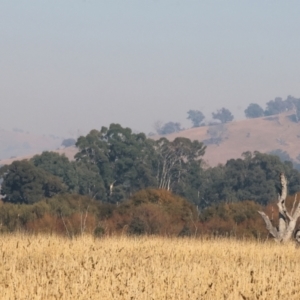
[(287, 220)]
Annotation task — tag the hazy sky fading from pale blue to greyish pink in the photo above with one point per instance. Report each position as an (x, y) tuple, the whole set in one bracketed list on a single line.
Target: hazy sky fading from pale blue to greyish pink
[(69, 65)]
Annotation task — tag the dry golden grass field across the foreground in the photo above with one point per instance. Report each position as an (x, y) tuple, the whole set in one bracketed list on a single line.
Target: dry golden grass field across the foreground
[(50, 267)]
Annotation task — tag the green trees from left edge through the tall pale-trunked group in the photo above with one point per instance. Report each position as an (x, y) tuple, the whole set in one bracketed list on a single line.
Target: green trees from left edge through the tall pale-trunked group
[(111, 165)]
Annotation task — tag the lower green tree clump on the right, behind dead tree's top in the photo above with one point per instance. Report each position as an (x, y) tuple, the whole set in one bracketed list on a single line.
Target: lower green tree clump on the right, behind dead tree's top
[(255, 177)]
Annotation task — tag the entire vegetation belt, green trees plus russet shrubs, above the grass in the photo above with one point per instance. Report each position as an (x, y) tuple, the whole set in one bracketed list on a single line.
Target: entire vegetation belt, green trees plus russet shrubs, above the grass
[(114, 164)]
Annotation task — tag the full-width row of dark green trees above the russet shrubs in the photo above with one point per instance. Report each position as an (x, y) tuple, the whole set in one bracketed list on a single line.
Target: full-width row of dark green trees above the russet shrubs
[(114, 163)]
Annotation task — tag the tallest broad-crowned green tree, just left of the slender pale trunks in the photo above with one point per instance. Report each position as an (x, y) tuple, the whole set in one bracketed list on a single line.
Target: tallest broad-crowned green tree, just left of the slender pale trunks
[(123, 159)]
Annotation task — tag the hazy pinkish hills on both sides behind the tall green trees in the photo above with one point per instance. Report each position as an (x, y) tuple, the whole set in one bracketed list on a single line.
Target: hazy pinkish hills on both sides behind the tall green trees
[(224, 141)]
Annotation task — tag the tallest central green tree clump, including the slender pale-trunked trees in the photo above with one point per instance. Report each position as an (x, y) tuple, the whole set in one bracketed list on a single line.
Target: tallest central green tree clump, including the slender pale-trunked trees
[(128, 162)]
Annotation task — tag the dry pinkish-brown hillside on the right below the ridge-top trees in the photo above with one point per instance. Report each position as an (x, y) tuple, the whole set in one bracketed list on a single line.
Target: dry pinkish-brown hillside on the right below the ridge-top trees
[(266, 134)]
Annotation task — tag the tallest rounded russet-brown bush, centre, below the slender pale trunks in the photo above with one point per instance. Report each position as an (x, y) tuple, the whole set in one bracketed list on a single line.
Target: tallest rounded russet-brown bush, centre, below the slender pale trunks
[(153, 211)]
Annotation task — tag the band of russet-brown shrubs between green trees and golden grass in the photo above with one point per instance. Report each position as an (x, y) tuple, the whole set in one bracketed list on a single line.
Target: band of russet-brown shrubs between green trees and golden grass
[(148, 211)]
